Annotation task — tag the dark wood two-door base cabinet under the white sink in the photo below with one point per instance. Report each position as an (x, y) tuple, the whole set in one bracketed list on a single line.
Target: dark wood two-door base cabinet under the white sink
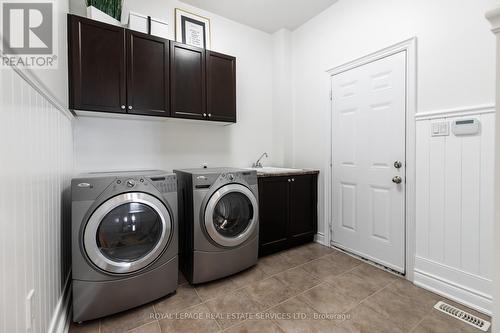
[(288, 214)]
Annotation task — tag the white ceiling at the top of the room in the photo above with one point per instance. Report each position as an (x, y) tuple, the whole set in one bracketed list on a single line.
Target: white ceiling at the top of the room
[(266, 15)]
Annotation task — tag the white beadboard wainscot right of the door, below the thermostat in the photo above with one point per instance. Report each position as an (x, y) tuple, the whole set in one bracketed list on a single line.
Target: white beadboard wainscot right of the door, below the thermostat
[(454, 245)]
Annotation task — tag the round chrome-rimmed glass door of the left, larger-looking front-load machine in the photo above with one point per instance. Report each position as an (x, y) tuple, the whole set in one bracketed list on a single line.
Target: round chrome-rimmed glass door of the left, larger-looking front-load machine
[(127, 233)]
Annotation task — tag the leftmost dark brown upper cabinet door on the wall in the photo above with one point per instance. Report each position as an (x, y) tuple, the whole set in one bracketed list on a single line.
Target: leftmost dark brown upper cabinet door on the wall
[(96, 66)]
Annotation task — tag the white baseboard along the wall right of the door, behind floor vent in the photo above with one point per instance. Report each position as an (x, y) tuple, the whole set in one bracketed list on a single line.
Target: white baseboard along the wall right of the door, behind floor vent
[(458, 293)]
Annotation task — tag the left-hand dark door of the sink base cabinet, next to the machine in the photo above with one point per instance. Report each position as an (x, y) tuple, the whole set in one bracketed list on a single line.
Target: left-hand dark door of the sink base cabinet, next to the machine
[(273, 214)]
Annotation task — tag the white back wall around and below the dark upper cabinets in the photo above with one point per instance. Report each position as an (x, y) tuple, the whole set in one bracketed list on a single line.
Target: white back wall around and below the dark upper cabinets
[(117, 144)]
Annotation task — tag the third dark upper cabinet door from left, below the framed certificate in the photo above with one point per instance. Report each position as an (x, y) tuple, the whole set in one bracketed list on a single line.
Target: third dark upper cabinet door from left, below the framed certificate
[(187, 81)]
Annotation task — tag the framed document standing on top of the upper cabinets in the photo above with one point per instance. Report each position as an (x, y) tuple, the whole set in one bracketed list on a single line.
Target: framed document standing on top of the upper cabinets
[(192, 29)]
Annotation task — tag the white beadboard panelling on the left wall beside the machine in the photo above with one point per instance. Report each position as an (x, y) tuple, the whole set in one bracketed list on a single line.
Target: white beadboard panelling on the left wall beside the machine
[(36, 153)]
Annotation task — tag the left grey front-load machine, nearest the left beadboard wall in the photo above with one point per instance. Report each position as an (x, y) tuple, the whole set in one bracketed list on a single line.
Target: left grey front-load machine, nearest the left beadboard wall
[(124, 241)]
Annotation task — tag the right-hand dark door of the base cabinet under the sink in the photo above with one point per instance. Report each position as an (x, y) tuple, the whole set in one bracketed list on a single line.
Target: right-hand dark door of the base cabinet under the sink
[(303, 209)]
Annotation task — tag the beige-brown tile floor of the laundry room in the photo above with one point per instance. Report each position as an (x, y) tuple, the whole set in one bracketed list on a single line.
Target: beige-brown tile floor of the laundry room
[(311, 288)]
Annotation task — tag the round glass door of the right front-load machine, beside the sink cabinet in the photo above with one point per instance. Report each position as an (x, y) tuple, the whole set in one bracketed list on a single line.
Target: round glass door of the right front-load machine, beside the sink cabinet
[(231, 215)]
